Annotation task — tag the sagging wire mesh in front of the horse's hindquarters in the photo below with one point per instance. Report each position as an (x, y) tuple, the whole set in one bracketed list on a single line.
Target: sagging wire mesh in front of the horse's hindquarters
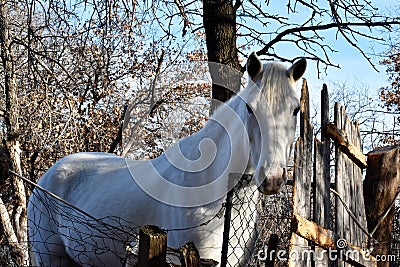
[(94, 240)]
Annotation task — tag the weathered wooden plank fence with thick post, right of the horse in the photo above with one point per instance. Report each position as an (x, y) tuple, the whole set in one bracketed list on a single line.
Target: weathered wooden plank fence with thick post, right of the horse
[(343, 237)]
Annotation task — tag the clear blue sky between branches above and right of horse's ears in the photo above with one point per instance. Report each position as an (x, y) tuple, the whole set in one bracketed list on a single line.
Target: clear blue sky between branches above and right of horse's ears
[(354, 68)]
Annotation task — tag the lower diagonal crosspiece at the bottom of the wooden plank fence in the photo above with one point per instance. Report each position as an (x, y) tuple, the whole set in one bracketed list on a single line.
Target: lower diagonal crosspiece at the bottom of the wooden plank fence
[(329, 240)]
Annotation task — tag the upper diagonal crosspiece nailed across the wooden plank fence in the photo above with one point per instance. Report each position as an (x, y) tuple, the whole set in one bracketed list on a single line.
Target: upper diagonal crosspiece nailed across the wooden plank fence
[(343, 143)]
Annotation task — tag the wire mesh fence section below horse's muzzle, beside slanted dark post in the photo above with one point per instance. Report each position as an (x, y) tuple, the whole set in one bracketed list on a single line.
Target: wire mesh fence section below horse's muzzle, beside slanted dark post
[(254, 218)]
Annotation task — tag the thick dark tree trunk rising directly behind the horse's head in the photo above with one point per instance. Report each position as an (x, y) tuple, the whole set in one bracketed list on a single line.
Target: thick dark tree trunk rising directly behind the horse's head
[(219, 18)]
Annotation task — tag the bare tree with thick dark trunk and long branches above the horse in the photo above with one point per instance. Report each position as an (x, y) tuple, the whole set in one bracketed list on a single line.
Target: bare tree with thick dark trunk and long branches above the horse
[(302, 28)]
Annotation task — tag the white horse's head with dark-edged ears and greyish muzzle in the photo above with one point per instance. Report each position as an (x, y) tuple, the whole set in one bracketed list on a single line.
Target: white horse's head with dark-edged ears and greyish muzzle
[(273, 107)]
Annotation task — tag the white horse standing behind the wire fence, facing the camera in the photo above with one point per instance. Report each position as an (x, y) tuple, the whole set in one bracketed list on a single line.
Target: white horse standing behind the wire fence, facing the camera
[(183, 188)]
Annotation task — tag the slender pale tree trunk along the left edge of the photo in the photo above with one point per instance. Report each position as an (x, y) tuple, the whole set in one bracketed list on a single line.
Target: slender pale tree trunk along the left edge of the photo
[(19, 224)]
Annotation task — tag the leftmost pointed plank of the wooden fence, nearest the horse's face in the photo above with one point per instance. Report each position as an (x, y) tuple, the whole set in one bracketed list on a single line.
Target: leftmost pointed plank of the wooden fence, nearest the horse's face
[(302, 175)]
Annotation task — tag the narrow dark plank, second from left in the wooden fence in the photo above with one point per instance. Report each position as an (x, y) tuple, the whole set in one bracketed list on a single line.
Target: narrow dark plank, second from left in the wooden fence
[(321, 184)]
